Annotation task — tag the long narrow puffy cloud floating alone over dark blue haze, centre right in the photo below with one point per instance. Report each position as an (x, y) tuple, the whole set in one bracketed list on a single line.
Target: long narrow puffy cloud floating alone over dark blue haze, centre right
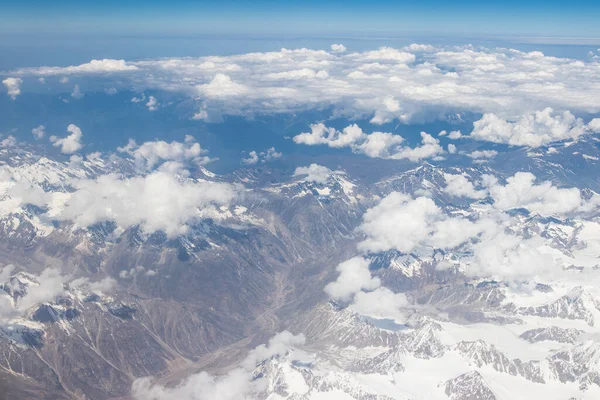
[(376, 144)]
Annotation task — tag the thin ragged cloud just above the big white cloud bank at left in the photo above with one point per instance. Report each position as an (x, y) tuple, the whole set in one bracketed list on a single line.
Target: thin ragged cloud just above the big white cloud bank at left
[(149, 155)]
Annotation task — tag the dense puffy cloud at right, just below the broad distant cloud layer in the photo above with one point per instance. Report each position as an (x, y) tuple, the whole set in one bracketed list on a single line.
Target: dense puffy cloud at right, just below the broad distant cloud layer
[(534, 130)]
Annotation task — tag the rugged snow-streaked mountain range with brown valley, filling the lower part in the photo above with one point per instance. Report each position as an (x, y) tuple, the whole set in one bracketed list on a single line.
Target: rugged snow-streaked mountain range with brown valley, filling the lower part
[(495, 295)]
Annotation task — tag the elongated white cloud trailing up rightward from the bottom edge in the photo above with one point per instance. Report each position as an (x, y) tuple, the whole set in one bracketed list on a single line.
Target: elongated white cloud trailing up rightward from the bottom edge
[(239, 383)]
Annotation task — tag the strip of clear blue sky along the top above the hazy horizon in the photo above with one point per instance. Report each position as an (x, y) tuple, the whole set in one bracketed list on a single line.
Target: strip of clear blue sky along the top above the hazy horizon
[(309, 17)]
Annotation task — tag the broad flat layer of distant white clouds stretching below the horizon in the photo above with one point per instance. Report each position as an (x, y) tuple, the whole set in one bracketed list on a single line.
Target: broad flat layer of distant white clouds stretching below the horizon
[(416, 83)]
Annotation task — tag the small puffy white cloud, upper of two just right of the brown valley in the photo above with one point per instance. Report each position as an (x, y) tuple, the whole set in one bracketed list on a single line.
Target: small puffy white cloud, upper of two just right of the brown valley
[(354, 276)]
